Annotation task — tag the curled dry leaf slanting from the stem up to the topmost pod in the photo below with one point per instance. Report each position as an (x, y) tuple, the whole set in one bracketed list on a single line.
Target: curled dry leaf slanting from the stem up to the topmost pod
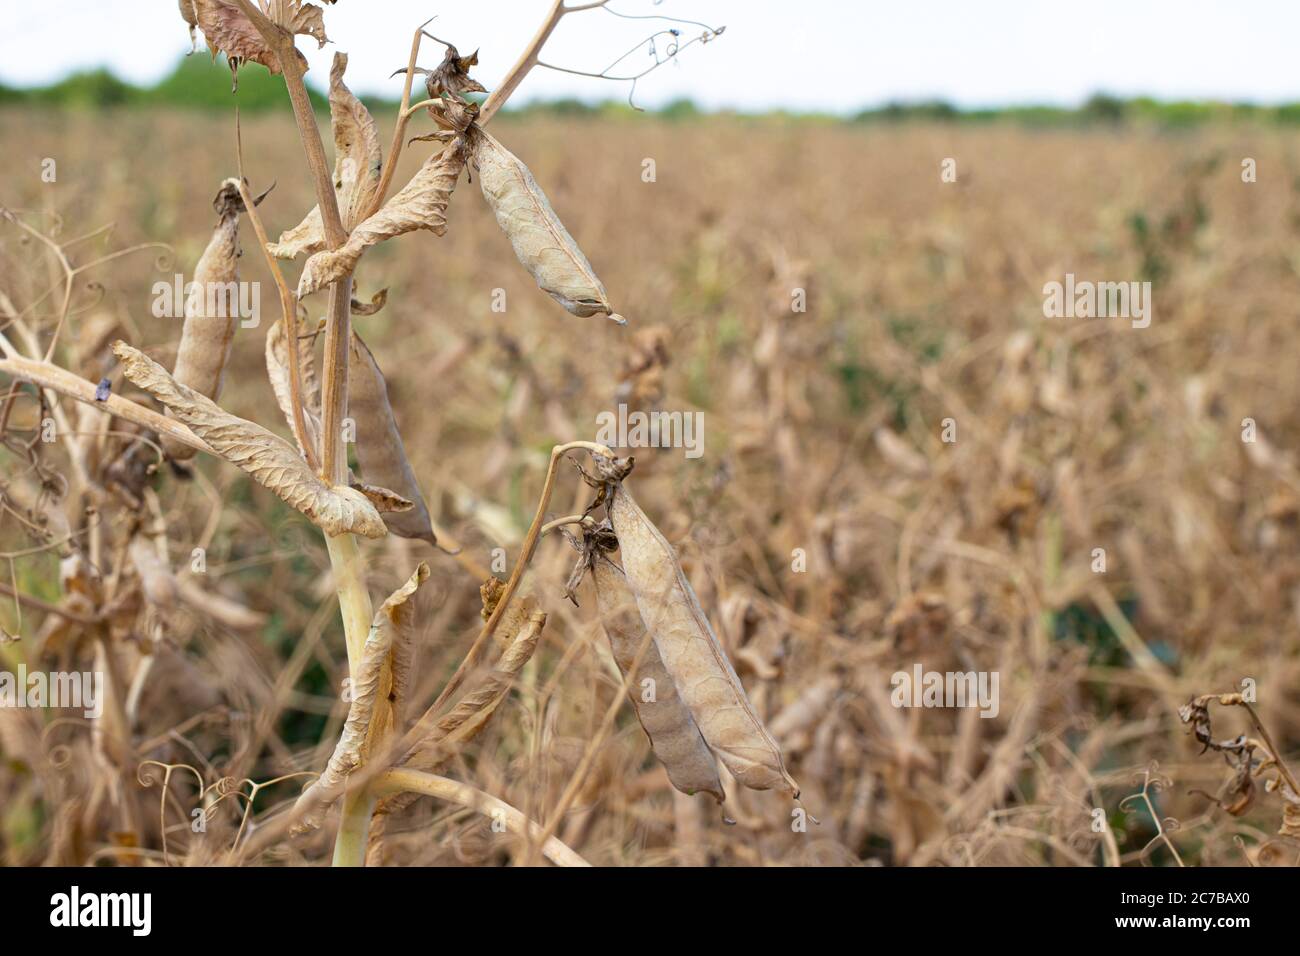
[(421, 205)]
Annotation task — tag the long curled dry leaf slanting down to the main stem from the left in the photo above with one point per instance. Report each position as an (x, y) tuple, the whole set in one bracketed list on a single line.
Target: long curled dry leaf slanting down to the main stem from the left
[(270, 460)]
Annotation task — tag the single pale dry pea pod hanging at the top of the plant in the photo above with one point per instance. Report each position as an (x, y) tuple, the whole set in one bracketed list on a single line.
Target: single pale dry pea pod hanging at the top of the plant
[(541, 243)]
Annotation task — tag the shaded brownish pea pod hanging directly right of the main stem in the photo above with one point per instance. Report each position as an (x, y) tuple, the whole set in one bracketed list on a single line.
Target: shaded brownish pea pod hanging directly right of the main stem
[(379, 444)]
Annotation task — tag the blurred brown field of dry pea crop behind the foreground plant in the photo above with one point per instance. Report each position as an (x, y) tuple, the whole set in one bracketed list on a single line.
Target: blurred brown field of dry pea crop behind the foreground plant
[(915, 471)]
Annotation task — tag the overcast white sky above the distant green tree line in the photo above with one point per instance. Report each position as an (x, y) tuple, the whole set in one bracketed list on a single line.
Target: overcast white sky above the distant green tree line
[(837, 55)]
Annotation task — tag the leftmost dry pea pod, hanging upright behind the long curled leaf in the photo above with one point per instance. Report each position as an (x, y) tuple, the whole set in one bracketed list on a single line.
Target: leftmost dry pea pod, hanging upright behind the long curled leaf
[(211, 314)]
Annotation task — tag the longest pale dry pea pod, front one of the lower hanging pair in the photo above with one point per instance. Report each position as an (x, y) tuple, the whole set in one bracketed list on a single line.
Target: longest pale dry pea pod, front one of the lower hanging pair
[(691, 652)]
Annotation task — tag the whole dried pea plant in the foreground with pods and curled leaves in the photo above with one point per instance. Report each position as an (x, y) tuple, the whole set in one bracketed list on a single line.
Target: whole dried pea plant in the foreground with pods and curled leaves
[(696, 713)]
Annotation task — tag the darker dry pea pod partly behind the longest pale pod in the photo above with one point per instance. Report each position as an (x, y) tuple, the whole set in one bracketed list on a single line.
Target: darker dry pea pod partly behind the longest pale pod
[(674, 736)]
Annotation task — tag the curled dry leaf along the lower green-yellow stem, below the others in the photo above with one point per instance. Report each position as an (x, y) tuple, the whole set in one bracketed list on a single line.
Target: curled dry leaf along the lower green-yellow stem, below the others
[(370, 715)]
